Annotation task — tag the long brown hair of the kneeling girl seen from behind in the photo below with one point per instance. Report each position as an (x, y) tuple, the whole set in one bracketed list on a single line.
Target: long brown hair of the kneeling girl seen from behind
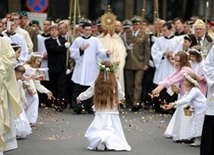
[(105, 89)]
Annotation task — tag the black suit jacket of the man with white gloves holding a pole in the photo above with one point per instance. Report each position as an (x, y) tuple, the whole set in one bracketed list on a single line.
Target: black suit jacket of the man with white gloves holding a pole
[(56, 54)]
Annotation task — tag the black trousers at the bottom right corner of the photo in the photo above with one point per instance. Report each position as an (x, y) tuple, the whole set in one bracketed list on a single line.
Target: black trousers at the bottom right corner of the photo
[(207, 139)]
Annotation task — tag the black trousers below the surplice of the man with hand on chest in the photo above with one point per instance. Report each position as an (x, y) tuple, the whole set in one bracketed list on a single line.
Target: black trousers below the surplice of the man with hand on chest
[(87, 103)]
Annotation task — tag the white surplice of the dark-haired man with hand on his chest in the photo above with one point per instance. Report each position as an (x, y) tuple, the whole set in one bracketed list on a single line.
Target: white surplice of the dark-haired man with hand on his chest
[(86, 67)]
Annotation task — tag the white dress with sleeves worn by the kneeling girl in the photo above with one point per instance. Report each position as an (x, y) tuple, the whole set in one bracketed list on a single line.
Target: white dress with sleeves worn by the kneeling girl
[(106, 126)]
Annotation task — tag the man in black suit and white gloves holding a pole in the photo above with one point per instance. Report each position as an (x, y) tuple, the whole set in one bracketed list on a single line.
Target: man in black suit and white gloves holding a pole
[(56, 48)]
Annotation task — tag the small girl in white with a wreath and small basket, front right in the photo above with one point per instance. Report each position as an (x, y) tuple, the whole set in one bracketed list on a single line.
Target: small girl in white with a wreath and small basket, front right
[(197, 103)]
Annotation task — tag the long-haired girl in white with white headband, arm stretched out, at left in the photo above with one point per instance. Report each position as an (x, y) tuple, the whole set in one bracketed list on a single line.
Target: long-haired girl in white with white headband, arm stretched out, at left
[(32, 66)]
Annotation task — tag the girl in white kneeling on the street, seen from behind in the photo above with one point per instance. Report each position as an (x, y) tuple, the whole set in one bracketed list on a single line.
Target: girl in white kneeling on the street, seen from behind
[(105, 132)]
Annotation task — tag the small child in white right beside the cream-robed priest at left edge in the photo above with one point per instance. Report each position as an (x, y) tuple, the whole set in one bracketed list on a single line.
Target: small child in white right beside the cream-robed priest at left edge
[(22, 124)]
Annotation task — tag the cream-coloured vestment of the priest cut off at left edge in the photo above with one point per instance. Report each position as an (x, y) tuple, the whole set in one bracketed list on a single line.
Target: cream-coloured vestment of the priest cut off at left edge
[(9, 97)]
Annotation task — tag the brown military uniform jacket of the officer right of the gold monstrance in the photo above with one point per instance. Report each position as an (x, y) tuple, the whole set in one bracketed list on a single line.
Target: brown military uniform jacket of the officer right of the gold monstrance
[(138, 53)]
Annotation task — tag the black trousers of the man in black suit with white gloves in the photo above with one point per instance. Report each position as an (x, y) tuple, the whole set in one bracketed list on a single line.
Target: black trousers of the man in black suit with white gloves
[(57, 84)]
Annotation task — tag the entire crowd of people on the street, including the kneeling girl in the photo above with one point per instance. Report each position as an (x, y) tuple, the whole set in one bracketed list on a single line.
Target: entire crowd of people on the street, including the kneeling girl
[(93, 68)]
